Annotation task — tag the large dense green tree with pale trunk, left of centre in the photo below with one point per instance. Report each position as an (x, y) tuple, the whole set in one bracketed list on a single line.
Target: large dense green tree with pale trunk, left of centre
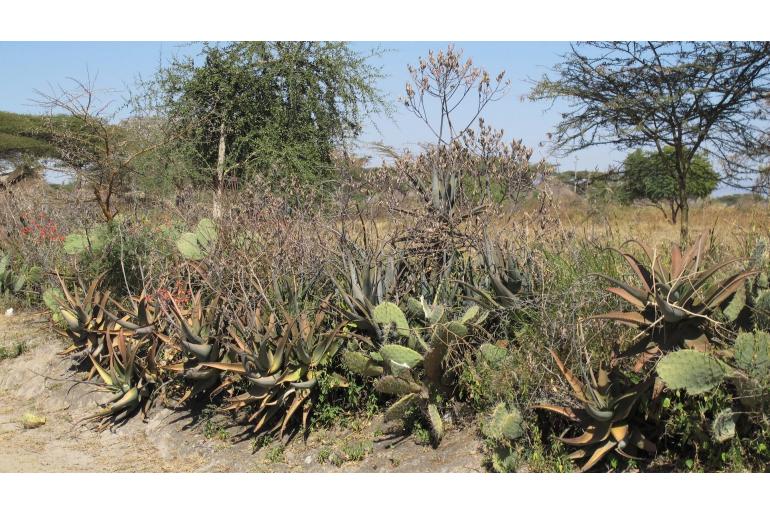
[(270, 109)]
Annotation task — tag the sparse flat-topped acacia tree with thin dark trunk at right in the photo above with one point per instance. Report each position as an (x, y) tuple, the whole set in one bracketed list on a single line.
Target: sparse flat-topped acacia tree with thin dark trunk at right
[(690, 96)]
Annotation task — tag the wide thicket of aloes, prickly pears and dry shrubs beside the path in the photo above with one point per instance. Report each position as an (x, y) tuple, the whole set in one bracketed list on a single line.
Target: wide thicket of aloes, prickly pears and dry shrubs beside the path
[(573, 352)]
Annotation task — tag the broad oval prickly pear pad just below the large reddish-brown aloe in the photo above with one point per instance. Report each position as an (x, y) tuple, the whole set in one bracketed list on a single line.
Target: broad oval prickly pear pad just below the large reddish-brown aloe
[(694, 371)]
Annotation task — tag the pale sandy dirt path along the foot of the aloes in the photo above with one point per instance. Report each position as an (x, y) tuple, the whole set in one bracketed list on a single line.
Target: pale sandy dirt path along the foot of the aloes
[(170, 441)]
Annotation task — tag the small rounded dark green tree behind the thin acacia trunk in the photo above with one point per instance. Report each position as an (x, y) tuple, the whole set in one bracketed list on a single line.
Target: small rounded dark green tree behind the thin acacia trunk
[(652, 177)]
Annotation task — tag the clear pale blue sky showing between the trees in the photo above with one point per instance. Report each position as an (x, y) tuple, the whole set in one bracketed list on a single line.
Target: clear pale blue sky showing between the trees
[(30, 66)]
